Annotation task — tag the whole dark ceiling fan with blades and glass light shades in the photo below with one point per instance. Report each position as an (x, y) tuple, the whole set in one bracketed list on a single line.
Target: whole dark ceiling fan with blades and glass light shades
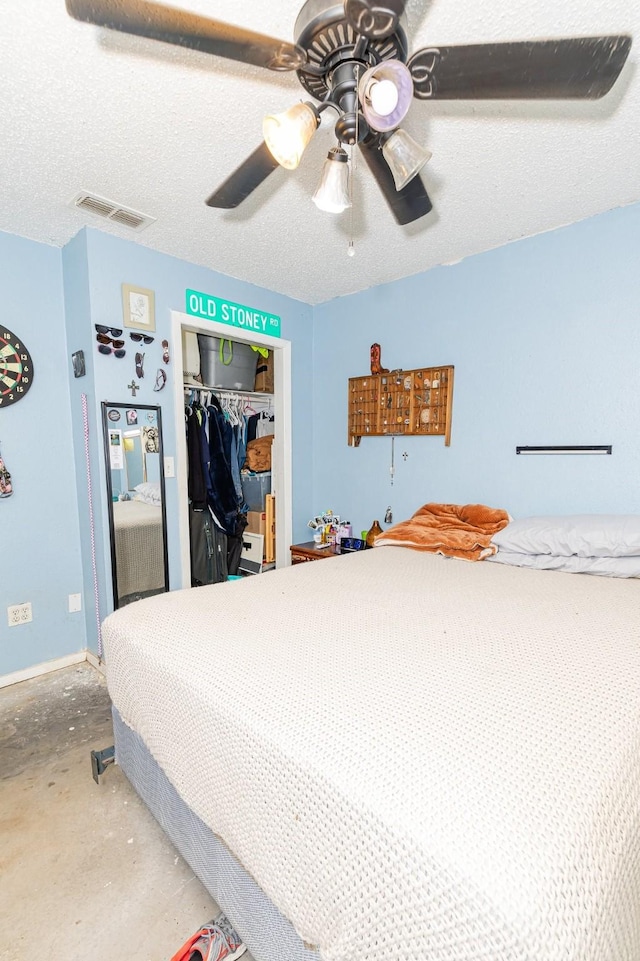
[(353, 57)]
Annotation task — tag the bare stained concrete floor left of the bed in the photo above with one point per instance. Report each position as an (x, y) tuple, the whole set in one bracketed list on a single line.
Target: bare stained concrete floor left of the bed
[(85, 871)]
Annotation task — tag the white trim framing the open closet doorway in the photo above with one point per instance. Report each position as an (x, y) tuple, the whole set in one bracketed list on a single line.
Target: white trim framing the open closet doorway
[(281, 470)]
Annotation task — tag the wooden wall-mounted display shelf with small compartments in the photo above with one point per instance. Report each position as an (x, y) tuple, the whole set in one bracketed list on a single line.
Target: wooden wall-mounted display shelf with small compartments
[(414, 403)]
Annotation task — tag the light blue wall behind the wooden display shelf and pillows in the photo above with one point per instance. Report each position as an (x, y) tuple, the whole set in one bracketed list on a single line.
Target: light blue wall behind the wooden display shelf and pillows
[(544, 335)]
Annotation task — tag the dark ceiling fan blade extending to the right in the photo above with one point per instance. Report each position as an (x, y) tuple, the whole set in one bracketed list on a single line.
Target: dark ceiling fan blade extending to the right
[(585, 67)]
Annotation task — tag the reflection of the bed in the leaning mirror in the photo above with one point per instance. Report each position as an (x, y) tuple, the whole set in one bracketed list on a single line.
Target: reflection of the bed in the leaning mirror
[(139, 546)]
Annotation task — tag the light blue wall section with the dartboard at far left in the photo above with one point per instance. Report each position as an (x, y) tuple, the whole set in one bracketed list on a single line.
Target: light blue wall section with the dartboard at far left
[(39, 528)]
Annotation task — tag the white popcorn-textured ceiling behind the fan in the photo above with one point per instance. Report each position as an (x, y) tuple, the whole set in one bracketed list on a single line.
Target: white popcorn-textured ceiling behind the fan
[(156, 128)]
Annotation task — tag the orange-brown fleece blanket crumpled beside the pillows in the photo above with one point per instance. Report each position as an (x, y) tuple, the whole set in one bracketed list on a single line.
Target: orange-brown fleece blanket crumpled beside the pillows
[(456, 530)]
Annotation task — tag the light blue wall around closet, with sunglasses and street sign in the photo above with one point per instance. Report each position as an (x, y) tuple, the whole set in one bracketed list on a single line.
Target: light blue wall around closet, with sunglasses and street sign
[(111, 262)]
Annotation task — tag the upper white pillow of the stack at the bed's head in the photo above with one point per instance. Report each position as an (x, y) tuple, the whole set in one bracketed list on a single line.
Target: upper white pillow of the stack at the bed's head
[(587, 535)]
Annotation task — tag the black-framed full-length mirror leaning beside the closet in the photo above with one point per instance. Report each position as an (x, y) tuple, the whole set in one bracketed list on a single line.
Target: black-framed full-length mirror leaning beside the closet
[(137, 506)]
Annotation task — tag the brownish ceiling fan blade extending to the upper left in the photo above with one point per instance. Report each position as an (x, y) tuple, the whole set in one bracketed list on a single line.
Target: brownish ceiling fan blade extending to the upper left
[(154, 20)]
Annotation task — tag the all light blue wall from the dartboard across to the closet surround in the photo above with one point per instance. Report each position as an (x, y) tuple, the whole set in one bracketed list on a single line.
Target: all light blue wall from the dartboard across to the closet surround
[(53, 299)]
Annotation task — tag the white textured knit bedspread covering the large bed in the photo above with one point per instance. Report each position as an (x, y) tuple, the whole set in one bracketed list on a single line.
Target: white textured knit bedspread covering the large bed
[(416, 758)]
